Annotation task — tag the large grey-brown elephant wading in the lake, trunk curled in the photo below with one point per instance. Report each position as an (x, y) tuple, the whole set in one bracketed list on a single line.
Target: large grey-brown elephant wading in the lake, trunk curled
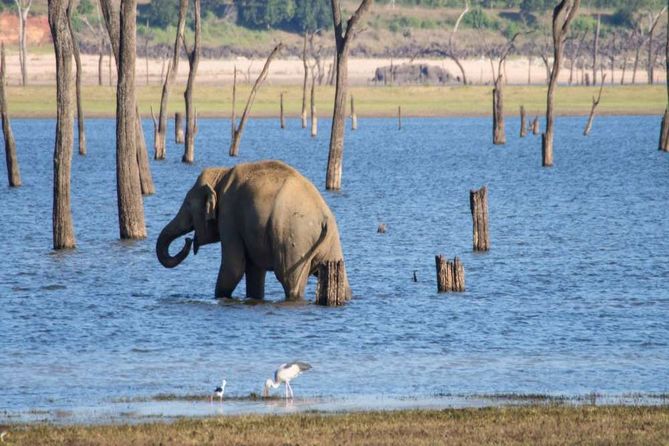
[(267, 217)]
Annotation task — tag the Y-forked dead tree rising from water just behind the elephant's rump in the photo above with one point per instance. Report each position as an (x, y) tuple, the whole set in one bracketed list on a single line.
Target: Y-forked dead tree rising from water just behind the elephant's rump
[(343, 40)]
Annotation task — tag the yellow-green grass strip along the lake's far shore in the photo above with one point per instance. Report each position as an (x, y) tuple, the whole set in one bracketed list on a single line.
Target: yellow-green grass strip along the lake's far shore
[(214, 101)]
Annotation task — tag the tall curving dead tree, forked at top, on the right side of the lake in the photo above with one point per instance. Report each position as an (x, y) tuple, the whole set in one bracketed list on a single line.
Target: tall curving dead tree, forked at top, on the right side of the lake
[(563, 14)]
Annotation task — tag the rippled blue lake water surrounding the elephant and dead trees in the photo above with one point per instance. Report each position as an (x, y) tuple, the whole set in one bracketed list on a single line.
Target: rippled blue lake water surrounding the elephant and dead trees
[(571, 299)]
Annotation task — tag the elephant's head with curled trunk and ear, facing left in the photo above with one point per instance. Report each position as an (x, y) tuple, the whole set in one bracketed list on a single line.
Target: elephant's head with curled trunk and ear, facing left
[(198, 212)]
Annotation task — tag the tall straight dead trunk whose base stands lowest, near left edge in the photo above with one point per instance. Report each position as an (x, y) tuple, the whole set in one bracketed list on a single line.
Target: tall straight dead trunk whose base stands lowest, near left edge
[(63, 228)]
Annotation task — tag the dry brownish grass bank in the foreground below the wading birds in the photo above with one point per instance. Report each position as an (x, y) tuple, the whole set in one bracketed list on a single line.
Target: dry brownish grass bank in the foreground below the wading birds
[(537, 425)]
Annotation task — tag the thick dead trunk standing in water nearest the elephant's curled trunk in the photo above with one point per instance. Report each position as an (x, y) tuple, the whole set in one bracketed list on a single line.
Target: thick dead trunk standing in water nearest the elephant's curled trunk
[(121, 26)]
